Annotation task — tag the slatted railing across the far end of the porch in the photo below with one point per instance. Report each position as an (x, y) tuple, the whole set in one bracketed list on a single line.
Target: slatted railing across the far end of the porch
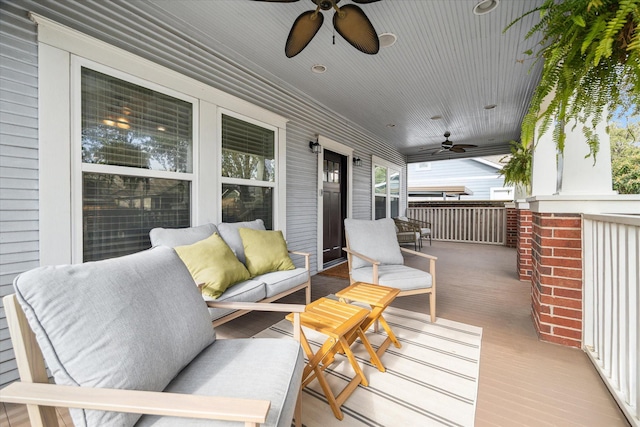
[(473, 224)]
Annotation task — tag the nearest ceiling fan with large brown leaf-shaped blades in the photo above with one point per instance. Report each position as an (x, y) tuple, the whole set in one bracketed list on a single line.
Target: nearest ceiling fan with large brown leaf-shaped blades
[(349, 21)]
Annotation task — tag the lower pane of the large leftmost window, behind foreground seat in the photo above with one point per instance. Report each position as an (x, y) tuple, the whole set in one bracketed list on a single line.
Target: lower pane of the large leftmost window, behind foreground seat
[(118, 211)]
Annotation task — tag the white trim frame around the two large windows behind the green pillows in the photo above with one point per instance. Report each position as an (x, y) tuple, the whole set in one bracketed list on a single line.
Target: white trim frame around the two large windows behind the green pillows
[(59, 235)]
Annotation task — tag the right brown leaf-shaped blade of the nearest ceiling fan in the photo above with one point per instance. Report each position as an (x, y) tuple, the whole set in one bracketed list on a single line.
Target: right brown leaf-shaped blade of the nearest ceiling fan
[(352, 24)]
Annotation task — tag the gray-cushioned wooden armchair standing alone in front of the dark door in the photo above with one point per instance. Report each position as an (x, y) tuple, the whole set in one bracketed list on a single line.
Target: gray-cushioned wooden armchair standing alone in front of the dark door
[(375, 256)]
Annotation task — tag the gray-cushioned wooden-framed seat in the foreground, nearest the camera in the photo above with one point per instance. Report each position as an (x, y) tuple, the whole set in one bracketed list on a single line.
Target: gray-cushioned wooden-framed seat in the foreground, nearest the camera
[(132, 335)]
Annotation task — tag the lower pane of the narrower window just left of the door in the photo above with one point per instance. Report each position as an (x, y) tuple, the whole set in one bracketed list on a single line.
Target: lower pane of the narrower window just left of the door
[(246, 203)]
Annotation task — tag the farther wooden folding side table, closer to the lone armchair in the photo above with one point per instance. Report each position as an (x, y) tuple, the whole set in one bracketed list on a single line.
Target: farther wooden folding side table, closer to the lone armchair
[(379, 298)]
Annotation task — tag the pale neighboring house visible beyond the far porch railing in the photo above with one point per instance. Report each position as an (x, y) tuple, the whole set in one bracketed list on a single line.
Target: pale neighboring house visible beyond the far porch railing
[(458, 179)]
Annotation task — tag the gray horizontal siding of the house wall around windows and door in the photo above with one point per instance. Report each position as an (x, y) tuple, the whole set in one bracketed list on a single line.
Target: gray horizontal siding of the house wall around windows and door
[(137, 28)]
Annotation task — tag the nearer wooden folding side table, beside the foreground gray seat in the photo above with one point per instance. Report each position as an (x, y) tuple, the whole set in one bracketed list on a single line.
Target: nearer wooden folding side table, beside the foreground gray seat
[(340, 322)]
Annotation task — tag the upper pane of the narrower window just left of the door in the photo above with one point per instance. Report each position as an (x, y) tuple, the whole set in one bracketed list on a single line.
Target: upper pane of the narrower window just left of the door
[(248, 150)]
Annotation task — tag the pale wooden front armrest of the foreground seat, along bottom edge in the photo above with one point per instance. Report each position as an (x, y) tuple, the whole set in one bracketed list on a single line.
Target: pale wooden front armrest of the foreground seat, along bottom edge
[(251, 412)]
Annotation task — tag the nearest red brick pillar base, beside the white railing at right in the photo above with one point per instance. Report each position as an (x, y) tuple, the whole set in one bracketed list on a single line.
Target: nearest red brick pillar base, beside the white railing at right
[(556, 282)]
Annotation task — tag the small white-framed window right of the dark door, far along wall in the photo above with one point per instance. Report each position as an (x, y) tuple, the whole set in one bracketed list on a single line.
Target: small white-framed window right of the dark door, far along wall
[(386, 189)]
